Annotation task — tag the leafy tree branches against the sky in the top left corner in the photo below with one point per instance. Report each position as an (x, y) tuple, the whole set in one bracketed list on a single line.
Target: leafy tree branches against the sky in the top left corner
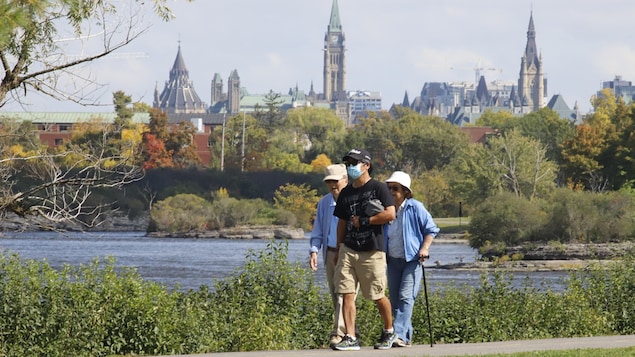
[(34, 57)]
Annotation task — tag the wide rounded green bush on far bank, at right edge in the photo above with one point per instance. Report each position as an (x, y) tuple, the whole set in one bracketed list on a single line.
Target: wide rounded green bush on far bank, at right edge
[(566, 216)]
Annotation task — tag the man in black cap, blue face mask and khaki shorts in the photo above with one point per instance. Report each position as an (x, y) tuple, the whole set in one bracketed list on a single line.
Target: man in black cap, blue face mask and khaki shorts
[(361, 257)]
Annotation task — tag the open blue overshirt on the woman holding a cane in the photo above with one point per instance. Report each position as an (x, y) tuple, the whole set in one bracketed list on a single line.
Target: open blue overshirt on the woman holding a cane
[(417, 223)]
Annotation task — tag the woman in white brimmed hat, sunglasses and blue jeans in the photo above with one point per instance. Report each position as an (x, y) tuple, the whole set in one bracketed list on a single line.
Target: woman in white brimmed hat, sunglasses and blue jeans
[(409, 238)]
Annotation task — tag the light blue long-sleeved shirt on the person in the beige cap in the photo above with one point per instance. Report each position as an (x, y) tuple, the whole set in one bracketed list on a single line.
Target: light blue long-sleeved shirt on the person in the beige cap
[(324, 233)]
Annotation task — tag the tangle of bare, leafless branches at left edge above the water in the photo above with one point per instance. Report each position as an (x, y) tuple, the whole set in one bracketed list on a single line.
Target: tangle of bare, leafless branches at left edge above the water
[(46, 188)]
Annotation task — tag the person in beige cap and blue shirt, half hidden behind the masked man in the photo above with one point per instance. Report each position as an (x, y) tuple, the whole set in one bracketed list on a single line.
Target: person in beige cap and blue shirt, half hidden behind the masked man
[(324, 236)]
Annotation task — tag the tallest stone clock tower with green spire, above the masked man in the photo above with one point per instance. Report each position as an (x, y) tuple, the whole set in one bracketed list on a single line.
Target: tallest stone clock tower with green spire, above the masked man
[(334, 59)]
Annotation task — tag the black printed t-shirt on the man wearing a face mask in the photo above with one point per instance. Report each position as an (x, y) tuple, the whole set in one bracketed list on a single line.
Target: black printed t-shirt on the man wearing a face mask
[(350, 203)]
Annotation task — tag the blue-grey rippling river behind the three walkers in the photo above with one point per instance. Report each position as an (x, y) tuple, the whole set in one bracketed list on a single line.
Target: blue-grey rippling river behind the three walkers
[(190, 263)]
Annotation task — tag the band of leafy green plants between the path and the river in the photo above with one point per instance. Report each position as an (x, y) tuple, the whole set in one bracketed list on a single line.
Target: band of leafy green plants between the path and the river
[(270, 303)]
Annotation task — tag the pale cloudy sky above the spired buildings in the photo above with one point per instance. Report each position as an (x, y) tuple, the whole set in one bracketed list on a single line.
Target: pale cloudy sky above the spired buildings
[(393, 47)]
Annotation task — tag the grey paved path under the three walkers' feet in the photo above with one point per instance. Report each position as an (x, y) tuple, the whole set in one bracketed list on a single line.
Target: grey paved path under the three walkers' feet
[(452, 349)]
